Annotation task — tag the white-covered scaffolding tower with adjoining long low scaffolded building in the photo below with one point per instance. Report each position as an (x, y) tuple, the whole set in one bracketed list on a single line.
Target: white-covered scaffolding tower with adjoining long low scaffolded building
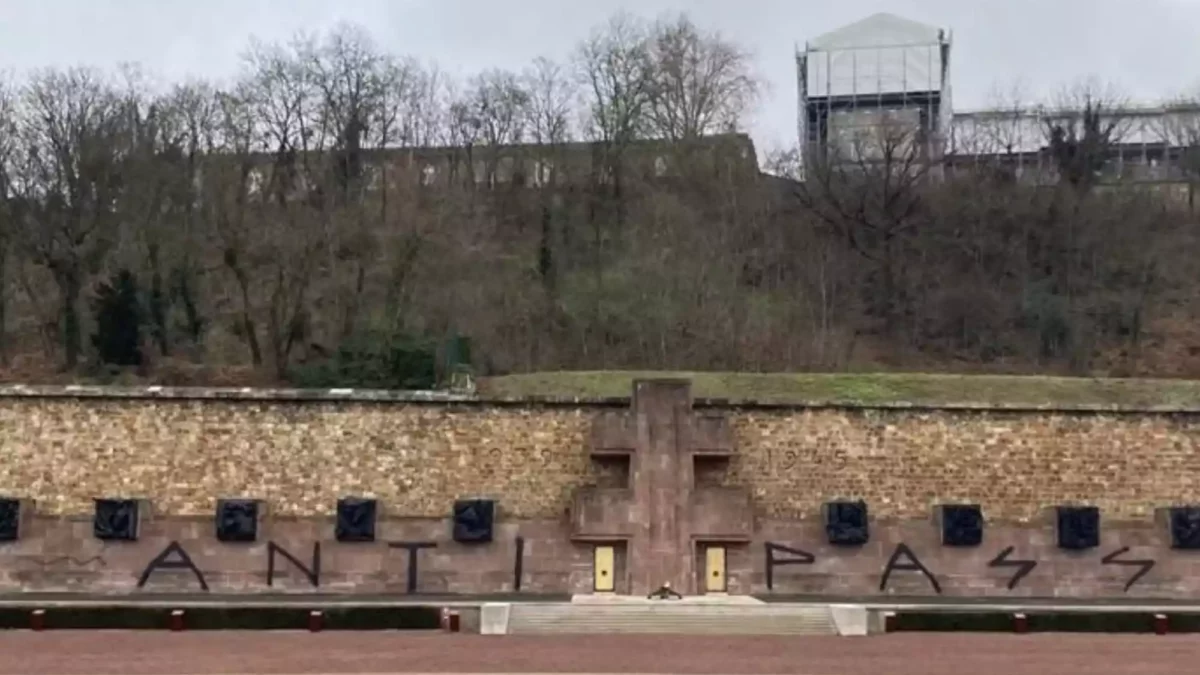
[(859, 81)]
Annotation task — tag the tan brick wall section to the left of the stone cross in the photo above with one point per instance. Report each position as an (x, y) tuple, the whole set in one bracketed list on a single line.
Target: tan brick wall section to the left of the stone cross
[(298, 457)]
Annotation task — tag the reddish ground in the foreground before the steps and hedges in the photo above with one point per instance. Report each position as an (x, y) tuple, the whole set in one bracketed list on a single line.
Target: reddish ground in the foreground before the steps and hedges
[(98, 653)]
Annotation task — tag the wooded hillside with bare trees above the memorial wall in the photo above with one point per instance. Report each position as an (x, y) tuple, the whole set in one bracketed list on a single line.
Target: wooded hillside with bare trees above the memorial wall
[(194, 238)]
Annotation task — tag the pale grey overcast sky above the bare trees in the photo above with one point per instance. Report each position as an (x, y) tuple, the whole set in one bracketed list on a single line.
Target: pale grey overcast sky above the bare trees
[(1150, 49)]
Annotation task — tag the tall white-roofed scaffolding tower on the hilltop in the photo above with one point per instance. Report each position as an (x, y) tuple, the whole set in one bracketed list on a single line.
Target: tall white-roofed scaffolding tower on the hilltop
[(880, 69)]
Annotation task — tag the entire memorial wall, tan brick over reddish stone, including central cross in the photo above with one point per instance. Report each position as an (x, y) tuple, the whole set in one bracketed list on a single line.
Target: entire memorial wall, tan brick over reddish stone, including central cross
[(573, 475)]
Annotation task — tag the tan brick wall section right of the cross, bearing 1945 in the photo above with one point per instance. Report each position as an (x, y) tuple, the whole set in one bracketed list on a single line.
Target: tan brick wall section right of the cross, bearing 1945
[(1015, 464)]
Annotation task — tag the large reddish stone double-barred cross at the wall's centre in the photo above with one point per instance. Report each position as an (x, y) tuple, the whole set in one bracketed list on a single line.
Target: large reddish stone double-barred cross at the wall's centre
[(662, 516)]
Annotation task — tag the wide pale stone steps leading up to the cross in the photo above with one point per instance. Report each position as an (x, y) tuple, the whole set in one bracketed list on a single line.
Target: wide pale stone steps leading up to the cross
[(687, 619)]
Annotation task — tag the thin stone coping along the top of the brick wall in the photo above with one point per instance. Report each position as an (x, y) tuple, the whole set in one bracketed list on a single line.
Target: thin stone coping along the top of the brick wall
[(451, 398)]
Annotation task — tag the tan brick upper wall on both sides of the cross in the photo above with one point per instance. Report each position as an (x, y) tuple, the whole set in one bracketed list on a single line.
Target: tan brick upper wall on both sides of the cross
[(417, 457)]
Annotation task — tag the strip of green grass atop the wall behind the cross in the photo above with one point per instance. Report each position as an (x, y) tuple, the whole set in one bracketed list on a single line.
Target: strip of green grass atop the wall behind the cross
[(883, 389)]
